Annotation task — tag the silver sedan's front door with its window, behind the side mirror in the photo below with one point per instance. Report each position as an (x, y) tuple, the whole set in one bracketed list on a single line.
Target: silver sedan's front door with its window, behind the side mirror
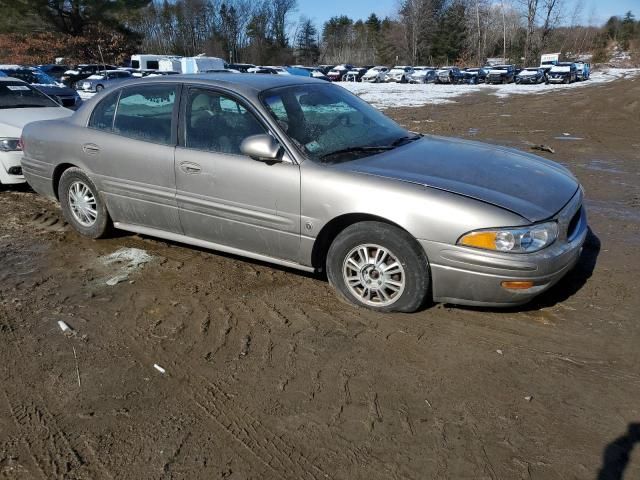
[(226, 197)]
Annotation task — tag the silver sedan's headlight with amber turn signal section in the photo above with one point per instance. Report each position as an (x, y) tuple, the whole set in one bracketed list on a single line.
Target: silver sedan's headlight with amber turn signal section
[(513, 240)]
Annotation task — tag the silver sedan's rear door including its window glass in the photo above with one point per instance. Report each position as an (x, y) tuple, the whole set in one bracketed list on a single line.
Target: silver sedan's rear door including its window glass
[(130, 147)]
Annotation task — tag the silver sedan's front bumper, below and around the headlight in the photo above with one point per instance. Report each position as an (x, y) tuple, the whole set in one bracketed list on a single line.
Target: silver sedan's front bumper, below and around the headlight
[(468, 276)]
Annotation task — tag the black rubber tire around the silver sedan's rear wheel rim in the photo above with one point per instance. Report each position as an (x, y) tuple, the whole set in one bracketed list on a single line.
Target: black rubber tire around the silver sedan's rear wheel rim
[(102, 225)]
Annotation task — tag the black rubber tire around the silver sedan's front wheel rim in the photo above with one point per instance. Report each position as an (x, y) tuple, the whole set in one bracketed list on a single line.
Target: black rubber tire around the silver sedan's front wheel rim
[(401, 246)]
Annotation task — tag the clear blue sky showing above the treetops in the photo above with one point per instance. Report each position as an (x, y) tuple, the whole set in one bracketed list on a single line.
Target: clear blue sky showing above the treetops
[(321, 10)]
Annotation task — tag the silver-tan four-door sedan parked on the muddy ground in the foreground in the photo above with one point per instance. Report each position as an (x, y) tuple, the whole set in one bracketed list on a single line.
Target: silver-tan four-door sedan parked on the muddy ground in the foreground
[(303, 174)]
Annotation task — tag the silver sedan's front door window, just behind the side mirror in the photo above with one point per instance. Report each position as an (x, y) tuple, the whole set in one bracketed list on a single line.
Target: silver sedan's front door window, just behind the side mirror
[(217, 123)]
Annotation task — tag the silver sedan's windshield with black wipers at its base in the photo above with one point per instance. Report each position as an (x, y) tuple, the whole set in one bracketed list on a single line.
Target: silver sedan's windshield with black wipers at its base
[(325, 119)]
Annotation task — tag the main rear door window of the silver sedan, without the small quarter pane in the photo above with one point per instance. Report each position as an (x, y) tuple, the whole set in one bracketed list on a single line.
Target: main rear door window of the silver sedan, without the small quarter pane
[(145, 113)]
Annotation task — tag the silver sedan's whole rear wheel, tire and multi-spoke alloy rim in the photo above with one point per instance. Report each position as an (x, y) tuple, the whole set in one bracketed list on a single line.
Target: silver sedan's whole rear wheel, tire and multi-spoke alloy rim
[(82, 205)]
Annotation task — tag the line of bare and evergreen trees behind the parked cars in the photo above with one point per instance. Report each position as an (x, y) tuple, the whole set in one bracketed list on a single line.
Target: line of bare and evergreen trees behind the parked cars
[(433, 32)]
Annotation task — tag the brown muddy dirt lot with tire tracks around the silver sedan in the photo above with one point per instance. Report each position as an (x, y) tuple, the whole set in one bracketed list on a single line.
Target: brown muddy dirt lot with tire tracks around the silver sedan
[(269, 377)]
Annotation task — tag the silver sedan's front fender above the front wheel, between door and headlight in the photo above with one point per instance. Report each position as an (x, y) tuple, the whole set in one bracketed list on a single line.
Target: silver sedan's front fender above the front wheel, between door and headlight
[(426, 213)]
